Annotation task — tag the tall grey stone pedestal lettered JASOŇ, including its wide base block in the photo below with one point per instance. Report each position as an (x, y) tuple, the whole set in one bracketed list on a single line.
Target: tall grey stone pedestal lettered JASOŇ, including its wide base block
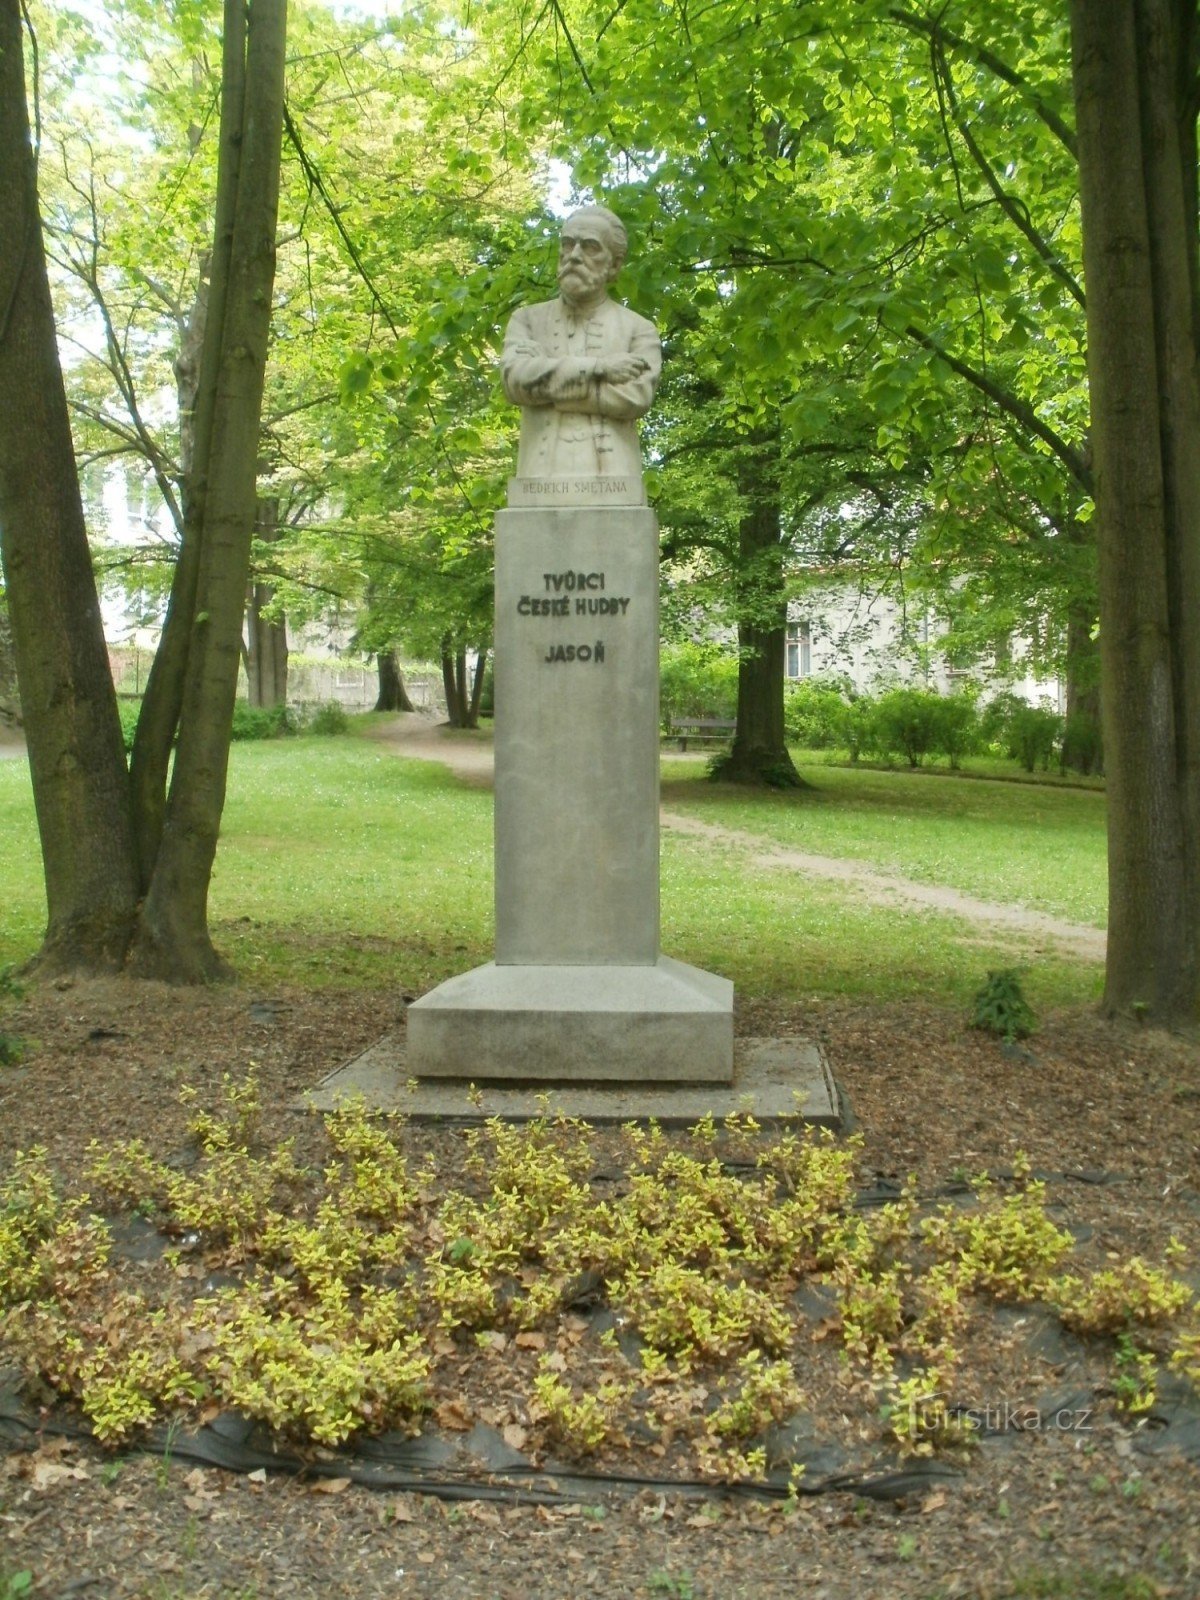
[(578, 990)]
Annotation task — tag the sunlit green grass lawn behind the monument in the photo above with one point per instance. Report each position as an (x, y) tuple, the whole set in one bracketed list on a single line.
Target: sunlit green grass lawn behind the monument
[(345, 865)]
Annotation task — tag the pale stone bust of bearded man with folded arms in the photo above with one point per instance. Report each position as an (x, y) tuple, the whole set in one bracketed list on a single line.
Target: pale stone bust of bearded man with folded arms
[(583, 369)]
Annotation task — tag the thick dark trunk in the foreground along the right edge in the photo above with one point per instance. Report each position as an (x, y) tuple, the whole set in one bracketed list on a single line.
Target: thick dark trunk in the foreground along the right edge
[(1137, 140)]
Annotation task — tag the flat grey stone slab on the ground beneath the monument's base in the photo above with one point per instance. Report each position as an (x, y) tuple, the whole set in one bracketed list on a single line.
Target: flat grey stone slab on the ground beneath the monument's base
[(774, 1079)]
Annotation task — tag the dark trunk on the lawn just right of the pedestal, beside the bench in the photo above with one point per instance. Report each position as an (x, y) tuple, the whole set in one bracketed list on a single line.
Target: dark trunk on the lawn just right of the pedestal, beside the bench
[(759, 753)]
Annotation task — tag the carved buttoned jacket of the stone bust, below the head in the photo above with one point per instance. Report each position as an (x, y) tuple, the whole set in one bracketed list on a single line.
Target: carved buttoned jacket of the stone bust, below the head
[(575, 425)]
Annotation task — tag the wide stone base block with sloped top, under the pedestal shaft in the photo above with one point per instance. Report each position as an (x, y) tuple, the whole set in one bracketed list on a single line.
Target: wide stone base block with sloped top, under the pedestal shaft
[(668, 1023)]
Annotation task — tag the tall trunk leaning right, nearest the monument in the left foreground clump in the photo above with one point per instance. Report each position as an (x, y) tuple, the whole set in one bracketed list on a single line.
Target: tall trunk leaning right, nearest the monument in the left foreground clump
[(174, 937)]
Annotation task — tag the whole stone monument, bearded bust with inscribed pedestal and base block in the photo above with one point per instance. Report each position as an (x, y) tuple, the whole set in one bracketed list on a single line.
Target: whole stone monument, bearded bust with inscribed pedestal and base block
[(580, 990)]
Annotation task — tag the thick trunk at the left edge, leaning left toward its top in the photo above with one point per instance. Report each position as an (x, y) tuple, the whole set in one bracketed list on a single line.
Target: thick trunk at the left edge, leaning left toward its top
[(76, 751)]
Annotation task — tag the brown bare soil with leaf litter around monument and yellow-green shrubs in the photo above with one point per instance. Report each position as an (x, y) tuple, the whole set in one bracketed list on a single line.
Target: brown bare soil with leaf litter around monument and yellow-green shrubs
[(1110, 1506)]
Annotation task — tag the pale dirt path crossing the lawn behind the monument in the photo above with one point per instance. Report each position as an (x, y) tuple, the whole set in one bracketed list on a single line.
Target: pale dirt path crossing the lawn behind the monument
[(471, 758)]
